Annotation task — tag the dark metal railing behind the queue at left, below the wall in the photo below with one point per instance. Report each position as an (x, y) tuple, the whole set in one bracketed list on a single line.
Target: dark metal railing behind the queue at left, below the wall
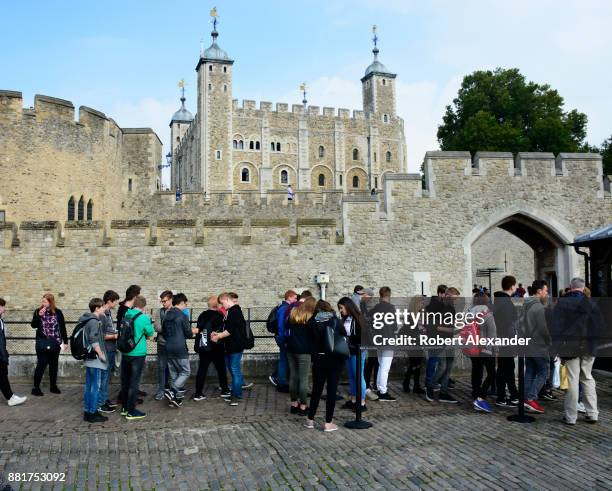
[(21, 336)]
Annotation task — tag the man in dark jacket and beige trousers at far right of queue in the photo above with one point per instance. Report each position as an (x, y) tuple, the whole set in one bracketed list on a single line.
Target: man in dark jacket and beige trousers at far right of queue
[(576, 323)]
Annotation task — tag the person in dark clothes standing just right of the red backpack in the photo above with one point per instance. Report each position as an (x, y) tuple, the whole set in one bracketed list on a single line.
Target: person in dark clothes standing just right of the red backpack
[(506, 317)]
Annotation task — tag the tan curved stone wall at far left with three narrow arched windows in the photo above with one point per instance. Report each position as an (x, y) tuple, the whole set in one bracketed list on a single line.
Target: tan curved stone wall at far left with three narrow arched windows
[(46, 157)]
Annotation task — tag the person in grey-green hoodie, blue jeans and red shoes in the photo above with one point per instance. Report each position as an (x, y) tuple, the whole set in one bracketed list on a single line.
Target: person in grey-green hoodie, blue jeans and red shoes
[(538, 361)]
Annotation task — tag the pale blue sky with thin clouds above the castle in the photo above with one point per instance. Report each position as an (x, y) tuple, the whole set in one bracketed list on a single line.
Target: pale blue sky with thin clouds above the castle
[(125, 58)]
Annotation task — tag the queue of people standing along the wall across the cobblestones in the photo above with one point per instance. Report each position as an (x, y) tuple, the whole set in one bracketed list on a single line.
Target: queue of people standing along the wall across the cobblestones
[(316, 342)]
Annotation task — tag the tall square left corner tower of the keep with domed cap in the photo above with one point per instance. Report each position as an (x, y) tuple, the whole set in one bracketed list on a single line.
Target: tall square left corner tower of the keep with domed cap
[(215, 118)]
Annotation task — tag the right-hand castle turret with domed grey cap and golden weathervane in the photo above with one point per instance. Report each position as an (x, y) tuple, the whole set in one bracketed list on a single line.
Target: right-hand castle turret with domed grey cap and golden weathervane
[(378, 88)]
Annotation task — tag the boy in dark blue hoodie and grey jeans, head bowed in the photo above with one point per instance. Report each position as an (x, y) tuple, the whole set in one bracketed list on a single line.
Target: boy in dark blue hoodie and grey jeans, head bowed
[(176, 329)]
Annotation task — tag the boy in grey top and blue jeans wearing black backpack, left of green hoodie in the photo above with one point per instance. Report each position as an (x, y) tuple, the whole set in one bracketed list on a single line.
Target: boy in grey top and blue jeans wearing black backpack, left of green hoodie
[(94, 338)]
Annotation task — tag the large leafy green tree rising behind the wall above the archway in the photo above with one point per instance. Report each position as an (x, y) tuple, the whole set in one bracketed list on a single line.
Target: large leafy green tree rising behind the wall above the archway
[(499, 111)]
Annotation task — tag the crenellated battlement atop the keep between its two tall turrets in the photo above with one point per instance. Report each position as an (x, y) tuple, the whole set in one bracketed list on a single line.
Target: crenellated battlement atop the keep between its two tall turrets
[(248, 106)]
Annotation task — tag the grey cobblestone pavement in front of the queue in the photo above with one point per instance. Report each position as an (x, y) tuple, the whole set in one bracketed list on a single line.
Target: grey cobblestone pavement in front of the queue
[(258, 445)]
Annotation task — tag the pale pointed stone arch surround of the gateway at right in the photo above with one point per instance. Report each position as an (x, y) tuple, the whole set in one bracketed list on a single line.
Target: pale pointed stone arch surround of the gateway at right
[(547, 236)]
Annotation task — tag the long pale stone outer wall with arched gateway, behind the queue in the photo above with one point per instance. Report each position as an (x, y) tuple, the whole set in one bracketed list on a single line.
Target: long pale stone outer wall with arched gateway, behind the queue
[(400, 237)]
